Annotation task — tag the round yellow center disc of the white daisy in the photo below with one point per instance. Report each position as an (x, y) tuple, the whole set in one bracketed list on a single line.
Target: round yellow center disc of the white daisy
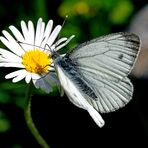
[(36, 61)]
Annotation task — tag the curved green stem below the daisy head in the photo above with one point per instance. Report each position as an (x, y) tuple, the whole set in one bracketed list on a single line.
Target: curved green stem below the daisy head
[(29, 121)]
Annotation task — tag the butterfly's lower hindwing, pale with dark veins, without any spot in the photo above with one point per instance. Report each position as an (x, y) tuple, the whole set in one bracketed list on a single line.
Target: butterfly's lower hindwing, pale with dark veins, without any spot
[(110, 95)]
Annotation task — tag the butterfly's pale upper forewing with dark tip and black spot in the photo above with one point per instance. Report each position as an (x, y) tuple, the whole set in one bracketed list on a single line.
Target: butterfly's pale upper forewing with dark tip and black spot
[(112, 57)]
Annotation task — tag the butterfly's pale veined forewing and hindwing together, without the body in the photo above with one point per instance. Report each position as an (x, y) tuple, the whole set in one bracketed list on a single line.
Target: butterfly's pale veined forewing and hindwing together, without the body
[(104, 64)]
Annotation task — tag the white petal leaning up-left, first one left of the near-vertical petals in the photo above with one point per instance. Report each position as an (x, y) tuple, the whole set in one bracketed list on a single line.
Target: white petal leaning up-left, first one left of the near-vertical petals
[(17, 34)]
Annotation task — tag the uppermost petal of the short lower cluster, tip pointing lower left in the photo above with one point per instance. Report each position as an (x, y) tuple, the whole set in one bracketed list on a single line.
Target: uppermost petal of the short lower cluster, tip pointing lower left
[(16, 73)]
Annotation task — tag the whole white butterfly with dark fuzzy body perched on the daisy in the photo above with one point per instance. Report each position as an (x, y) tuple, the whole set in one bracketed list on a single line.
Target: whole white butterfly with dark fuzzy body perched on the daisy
[(94, 74)]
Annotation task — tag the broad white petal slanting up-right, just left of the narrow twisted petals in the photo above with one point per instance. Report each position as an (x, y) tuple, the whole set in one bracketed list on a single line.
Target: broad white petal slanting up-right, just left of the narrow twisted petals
[(54, 35)]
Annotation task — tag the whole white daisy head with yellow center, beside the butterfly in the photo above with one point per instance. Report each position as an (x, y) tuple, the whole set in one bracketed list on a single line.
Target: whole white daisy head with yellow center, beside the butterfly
[(29, 53)]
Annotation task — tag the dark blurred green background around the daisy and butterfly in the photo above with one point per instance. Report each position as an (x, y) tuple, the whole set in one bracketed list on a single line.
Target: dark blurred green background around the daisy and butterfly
[(59, 121)]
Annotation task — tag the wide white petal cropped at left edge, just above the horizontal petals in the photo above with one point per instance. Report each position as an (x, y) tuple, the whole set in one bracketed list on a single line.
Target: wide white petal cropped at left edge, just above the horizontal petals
[(9, 56)]
